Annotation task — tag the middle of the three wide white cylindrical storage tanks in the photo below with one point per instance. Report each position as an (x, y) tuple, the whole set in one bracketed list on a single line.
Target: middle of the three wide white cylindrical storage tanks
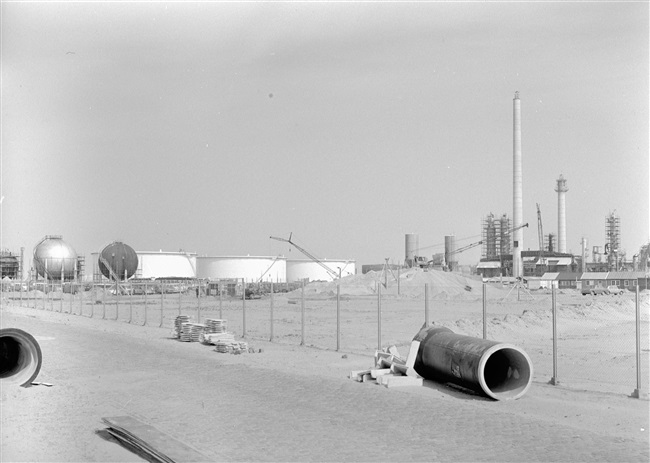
[(250, 268)]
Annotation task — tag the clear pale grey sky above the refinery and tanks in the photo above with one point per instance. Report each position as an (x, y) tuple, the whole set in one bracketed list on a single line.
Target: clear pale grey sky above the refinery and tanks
[(208, 127)]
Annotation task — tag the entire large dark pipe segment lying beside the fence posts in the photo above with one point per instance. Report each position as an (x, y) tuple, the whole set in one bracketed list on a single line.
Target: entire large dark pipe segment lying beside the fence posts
[(500, 371)]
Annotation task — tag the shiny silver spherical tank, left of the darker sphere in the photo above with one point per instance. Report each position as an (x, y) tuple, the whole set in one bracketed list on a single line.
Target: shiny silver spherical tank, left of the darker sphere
[(55, 257)]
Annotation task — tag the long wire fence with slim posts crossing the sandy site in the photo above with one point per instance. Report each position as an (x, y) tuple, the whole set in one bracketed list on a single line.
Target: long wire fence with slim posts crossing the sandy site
[(595, 345)]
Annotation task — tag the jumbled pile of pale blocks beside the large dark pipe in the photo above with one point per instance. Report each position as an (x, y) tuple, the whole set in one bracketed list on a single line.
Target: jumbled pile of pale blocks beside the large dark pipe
[(391, 370)]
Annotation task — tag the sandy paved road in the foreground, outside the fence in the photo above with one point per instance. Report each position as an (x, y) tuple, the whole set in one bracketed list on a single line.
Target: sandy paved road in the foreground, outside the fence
[(237, 408)]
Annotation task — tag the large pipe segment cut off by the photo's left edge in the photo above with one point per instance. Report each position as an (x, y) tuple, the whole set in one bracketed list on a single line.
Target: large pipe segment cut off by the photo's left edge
[(20, 357)]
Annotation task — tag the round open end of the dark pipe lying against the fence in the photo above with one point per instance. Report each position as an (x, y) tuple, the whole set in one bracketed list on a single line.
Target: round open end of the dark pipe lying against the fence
[(506, 374)]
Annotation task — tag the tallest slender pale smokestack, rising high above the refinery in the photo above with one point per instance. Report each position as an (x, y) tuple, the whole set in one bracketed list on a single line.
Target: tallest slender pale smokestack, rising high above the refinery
[(517, 197)]
